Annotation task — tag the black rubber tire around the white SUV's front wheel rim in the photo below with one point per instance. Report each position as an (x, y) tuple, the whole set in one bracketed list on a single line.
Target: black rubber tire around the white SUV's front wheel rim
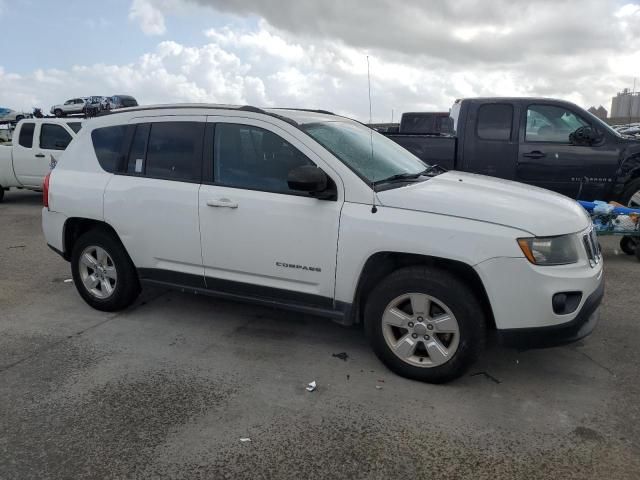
[(448, 290)]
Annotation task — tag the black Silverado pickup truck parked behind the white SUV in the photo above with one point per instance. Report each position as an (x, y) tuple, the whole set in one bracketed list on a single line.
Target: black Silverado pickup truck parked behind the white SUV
[(544, 142)]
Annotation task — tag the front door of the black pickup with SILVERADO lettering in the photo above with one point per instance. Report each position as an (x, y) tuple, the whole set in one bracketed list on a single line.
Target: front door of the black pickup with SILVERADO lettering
[(548, 159)]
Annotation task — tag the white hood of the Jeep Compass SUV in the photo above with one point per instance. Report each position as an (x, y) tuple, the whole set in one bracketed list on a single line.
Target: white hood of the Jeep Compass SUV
[(531, 209)]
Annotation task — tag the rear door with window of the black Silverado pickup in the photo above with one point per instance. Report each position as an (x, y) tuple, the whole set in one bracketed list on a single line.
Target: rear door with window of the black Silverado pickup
[(490, 140)]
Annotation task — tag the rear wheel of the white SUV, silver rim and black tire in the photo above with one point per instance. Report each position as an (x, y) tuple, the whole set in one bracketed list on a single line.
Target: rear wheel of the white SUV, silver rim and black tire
[(103, 273)]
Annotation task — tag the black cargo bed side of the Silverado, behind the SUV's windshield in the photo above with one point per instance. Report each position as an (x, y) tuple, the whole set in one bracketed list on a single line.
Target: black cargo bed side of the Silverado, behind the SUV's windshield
[(431, 149)]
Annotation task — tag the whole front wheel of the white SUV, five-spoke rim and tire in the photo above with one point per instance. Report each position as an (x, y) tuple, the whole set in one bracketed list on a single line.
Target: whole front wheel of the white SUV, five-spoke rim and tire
[(425, 324)]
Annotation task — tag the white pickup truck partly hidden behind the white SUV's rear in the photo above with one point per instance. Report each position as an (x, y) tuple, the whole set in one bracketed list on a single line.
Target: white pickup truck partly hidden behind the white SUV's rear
[(25, 162)]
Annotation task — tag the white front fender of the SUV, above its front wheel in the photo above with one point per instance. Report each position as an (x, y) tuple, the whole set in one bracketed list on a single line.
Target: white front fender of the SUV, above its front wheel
[(363, 234)]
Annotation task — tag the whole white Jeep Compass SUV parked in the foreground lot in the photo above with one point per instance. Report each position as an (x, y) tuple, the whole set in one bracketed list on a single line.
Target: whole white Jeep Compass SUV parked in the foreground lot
[(317, 213)]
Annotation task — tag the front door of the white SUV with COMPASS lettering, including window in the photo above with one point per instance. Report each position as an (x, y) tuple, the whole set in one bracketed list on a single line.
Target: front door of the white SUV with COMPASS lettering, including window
[(259, 237)]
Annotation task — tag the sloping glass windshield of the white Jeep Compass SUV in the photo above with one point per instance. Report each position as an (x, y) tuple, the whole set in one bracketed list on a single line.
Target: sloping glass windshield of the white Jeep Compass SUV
[(372, 156)]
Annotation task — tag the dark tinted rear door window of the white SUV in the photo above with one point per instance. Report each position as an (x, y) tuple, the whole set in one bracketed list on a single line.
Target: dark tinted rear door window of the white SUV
[(170, 150)]
